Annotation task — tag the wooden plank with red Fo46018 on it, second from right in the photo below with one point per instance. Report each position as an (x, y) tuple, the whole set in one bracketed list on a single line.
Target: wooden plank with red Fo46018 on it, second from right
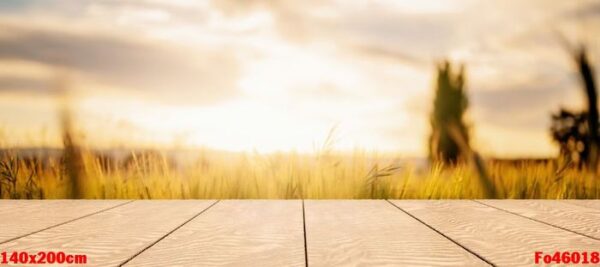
[(504, 239)]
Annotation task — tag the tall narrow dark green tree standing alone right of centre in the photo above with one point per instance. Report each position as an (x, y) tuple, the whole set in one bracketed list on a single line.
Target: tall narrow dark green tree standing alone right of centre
[(450, 104)]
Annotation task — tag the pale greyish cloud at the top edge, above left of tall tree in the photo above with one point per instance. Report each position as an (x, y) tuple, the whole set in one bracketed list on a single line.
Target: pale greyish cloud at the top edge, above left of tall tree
[(373, 28)]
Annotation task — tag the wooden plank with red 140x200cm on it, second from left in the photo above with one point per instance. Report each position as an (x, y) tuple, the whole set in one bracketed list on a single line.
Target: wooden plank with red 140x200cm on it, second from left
[(113, 236)]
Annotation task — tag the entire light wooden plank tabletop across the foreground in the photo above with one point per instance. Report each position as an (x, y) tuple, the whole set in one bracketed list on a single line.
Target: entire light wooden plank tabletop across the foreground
[(301, 233)]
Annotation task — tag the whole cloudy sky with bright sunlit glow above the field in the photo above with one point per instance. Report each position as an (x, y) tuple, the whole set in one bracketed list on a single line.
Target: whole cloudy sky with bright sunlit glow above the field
[(280, 75)]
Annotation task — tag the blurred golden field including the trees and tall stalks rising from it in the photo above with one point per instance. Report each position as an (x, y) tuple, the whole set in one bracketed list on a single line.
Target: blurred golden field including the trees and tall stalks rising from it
[(454, 169)]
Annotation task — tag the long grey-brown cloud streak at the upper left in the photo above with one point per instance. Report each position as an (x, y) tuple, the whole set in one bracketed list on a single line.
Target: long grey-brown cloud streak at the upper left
[(175, 72)]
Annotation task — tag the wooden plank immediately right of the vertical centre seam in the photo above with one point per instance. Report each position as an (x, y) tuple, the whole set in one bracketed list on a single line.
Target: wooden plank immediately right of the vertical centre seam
[(375, 233)]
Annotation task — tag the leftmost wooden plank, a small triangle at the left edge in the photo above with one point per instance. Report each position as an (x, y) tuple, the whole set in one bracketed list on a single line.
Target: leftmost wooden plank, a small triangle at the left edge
[(22, 217)]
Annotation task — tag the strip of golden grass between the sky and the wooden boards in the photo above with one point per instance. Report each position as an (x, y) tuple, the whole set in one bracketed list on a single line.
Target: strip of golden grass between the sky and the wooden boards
[(287, 176)]
